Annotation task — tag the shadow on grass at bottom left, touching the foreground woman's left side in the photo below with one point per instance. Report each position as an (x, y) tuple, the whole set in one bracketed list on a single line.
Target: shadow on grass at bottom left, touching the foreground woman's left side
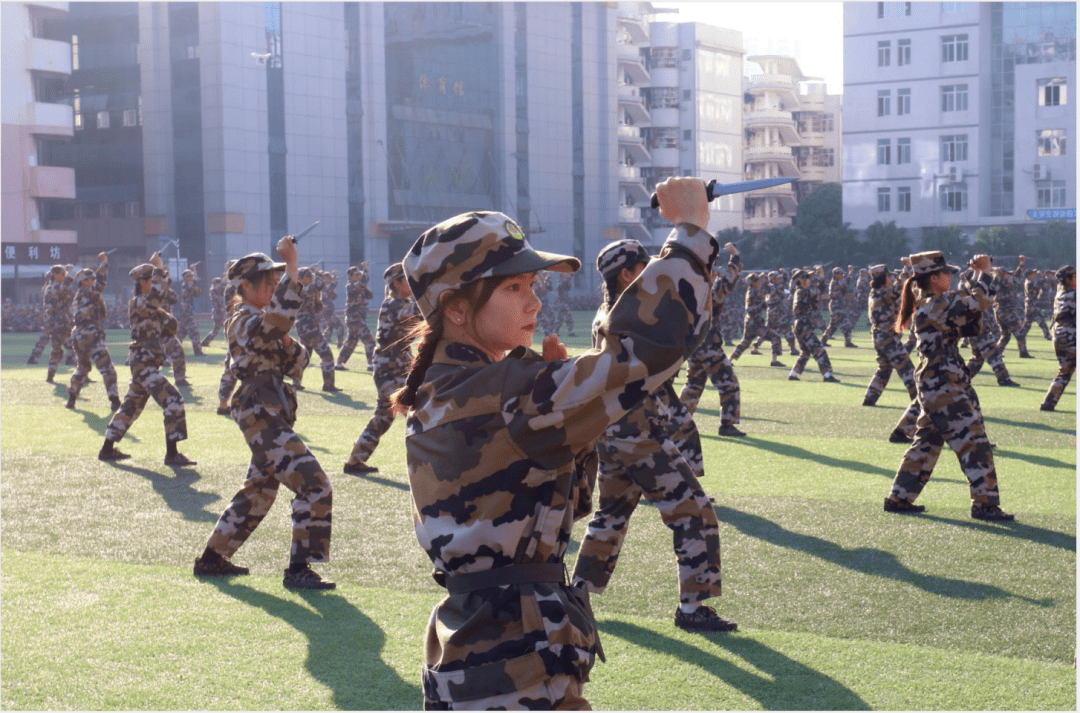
[(344, 648)]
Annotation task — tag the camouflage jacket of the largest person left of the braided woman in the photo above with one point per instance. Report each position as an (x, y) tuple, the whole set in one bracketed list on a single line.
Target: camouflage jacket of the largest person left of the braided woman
[(259, 357)]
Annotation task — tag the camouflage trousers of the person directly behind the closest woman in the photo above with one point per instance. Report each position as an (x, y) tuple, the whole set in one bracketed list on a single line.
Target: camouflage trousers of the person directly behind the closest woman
[(630, 468)]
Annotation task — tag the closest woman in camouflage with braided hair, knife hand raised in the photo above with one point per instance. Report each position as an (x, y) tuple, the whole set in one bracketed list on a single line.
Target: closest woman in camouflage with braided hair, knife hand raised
[(501, 446)]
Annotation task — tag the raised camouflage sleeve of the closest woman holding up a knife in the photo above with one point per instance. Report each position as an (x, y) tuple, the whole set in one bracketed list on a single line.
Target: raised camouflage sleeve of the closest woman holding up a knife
[(653, 328)]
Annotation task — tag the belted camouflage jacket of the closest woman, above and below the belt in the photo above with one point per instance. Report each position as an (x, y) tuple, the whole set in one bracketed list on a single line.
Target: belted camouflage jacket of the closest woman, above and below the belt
[(499, 460)]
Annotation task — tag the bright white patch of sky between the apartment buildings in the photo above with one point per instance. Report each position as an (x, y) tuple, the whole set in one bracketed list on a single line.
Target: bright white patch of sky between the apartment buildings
[(817, 29)]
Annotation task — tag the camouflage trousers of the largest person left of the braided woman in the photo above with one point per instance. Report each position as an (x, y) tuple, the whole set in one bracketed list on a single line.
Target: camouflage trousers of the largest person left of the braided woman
[(279, 458)]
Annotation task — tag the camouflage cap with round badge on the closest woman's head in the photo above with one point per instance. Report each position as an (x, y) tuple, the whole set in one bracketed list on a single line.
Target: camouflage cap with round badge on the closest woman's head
[(469, 248)]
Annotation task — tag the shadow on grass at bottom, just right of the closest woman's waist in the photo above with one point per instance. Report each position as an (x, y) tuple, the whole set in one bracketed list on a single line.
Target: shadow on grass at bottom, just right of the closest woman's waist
[(782, 683)]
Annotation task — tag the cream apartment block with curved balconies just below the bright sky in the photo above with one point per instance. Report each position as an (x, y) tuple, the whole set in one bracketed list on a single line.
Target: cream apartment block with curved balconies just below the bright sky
[(793, 130)]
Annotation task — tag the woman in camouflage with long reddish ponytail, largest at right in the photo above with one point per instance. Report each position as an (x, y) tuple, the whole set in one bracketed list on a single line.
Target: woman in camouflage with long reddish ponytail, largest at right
[(948, 414)]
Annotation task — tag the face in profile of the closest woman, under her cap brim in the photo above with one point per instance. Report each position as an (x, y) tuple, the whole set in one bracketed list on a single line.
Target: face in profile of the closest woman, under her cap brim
[(509, 319)]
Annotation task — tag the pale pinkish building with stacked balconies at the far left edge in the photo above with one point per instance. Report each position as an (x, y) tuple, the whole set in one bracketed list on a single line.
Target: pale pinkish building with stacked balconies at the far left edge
[(36, 125)]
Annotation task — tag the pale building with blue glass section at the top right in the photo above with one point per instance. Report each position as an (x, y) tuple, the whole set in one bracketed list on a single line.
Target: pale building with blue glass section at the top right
[(958, 114)]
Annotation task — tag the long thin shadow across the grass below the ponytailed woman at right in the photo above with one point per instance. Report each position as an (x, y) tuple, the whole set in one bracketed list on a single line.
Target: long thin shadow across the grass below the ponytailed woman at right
[(865, 560)]
